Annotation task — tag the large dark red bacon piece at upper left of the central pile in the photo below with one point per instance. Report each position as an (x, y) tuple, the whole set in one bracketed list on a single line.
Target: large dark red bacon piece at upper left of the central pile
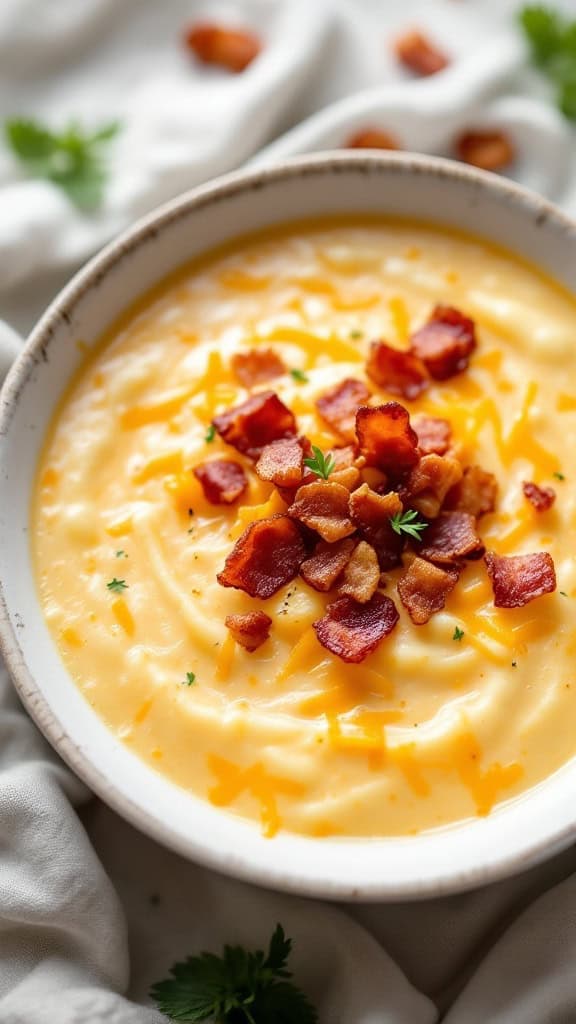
[(256, 423)]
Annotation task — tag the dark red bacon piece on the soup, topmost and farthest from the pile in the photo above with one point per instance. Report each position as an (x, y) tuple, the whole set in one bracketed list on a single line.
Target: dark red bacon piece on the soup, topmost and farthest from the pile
[(445, 344)]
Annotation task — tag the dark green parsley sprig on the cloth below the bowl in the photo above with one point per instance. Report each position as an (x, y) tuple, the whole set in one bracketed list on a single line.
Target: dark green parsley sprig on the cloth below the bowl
[(239, 988)]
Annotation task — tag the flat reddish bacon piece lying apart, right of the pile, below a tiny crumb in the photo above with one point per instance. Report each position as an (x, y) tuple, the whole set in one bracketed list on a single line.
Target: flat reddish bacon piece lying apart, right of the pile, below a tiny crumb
[(519, 579)]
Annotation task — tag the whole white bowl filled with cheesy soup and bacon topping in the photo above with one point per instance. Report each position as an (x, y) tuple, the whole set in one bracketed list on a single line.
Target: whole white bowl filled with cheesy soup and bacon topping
[(287, 550)]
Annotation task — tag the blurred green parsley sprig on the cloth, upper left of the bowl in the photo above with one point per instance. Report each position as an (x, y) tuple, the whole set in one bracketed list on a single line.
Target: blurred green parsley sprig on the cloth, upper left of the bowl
[(71, 159)]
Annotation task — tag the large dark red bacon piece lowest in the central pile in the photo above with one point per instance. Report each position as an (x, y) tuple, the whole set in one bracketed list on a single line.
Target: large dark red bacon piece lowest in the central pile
[(353, 631)]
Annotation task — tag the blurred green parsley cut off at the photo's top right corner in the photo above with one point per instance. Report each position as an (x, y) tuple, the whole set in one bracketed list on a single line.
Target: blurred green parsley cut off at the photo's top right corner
[(553, 42)]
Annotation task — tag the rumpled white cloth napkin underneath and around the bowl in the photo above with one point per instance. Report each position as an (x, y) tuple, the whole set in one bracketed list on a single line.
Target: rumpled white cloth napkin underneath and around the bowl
[(92, 913)]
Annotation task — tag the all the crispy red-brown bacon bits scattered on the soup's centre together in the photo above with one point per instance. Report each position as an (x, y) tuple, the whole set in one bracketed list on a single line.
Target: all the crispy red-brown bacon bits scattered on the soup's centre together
[(348, 518)]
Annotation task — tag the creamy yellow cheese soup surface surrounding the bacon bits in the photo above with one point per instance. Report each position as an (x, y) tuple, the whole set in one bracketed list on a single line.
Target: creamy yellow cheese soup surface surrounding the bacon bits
[(443, 720)]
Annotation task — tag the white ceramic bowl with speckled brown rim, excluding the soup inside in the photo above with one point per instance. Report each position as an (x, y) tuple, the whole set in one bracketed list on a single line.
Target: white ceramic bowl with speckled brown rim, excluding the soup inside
[(516, 835)]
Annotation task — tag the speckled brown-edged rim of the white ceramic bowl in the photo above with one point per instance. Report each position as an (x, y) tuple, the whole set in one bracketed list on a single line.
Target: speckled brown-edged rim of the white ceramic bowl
[(533, 851)]
